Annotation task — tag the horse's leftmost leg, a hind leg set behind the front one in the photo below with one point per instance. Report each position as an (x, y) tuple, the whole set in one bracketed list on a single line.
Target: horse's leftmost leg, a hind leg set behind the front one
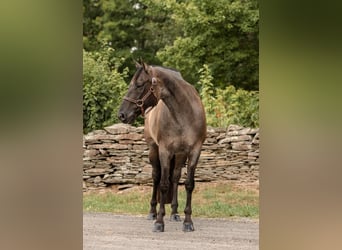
[(154, 160)]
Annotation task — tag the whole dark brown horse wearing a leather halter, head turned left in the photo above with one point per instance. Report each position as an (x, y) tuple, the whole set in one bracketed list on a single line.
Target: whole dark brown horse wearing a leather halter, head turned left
[(175, 128)]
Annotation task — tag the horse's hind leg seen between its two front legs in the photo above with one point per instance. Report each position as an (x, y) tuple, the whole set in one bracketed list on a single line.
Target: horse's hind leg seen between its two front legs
[(179, 163)]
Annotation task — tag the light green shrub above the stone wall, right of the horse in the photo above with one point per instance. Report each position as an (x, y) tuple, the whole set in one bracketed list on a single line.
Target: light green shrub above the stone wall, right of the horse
[(229, 105)]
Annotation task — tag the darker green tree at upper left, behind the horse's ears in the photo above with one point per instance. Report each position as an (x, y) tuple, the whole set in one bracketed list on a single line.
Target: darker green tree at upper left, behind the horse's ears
[(136, 29)]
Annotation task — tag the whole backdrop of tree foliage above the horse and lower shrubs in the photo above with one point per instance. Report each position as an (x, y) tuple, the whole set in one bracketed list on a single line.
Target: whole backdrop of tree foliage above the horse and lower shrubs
[(180, 34)]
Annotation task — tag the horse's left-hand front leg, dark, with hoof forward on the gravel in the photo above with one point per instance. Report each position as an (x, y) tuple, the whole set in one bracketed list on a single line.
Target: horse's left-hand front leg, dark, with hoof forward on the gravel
[(164, 158)]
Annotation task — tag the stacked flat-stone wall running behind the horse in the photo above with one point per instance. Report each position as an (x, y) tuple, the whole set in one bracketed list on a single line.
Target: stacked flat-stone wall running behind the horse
[(119, 155)]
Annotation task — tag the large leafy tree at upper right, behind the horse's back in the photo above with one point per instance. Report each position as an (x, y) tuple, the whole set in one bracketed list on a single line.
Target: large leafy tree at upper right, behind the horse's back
[(222, 34)]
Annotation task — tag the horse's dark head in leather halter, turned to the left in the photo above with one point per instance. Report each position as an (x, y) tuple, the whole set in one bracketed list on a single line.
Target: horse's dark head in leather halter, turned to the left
[(140, 95)]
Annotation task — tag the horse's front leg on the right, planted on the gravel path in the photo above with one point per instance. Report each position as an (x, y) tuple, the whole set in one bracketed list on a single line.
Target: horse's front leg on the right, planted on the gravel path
[(189, 186)]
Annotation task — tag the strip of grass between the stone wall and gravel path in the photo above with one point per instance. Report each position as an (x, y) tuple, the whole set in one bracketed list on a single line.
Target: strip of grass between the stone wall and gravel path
[(209, 200)]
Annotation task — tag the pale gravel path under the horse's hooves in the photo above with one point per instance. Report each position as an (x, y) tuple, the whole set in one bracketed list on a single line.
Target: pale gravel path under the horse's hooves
[(109, 231)]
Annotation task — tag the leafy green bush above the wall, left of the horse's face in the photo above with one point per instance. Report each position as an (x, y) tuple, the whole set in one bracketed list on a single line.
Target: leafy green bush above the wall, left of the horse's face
[(103, 89)]
